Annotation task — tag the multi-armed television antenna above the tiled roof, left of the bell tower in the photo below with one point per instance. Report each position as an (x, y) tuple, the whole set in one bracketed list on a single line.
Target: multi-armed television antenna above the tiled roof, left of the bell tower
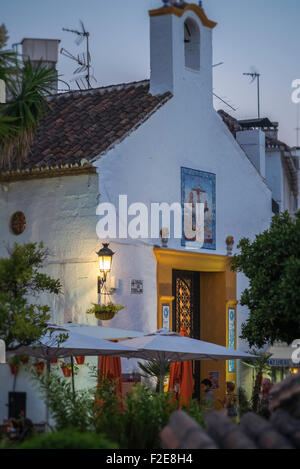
[(83, 60)]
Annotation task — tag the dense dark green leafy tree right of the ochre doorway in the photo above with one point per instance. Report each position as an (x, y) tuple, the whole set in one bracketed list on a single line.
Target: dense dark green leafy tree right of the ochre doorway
[(272, 264)]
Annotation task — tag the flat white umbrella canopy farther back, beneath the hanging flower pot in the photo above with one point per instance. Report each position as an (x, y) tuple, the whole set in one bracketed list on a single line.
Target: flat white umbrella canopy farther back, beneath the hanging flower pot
[(99, 332)]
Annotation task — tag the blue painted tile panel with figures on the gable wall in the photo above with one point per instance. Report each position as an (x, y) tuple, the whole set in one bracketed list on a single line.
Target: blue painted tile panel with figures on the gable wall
[(199, 187)]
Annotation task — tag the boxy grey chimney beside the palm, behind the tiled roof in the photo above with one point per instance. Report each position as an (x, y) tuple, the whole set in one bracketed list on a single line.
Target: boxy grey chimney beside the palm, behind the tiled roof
[(41, 50)]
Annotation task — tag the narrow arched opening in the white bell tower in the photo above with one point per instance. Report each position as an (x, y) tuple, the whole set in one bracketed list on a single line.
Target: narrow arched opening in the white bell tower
[(192, 44)]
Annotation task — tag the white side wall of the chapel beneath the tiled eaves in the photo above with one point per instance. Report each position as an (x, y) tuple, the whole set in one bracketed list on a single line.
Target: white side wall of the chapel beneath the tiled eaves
[(61, 213)]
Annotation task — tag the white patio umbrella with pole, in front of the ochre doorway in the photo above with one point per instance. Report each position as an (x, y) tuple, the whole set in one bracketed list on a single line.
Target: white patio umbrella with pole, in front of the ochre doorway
[(164, 346)]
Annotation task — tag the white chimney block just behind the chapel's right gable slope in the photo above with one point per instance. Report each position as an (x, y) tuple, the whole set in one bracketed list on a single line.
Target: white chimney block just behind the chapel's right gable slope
[(253, 142)]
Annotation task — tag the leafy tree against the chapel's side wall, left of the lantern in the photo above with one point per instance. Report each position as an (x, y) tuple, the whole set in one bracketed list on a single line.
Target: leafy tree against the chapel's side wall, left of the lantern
[(23, 322)]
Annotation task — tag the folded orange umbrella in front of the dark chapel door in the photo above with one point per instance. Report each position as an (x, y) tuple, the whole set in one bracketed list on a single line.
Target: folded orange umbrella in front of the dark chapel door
[(181, 378)]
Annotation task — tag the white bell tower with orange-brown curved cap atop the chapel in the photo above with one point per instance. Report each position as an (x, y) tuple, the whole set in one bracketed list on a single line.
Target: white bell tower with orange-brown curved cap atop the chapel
[(181, 50)]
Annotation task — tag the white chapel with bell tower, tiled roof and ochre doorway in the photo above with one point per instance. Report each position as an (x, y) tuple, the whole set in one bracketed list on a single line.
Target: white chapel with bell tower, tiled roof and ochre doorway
[(155, 141)]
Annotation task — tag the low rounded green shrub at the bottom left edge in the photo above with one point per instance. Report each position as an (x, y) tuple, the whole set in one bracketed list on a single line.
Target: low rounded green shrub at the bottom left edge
[(68, 439)]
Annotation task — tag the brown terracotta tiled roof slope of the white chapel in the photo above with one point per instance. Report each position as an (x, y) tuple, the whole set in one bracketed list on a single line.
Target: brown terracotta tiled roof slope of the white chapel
[(88, 123)]
